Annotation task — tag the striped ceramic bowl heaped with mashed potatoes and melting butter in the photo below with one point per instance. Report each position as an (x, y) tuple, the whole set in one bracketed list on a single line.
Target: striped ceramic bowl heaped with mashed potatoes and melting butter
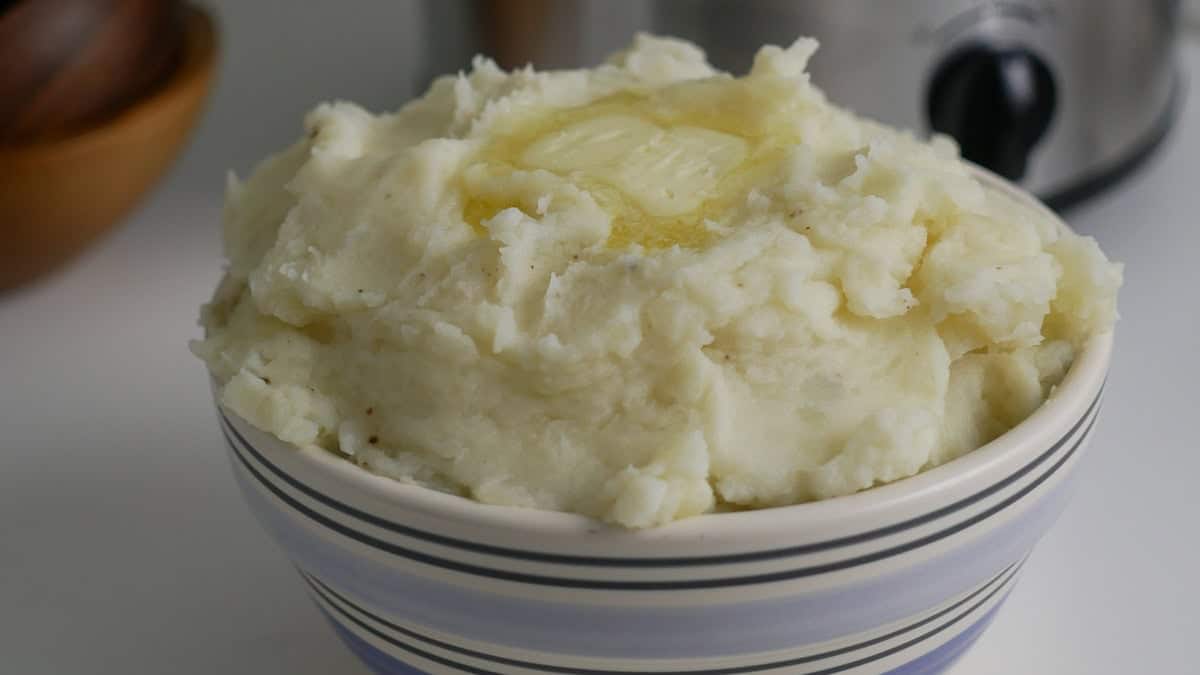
[(650, 368)]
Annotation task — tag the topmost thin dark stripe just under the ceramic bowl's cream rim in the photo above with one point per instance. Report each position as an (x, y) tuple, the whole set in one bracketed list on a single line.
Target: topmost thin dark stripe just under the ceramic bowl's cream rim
[(599, 561)]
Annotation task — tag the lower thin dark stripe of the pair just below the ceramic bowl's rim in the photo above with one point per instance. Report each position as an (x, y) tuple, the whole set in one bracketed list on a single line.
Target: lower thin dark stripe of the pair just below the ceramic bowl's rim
[(241, 446)]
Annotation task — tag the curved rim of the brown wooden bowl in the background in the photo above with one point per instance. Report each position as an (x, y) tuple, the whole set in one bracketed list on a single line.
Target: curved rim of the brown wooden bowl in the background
[(194, 70)]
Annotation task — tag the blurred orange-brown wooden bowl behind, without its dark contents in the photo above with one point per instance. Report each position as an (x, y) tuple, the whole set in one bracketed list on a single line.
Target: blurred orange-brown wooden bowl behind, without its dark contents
[(57, 196)]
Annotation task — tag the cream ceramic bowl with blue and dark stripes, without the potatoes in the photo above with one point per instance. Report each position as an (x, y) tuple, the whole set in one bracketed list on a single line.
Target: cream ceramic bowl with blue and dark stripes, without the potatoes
[(899, 578)]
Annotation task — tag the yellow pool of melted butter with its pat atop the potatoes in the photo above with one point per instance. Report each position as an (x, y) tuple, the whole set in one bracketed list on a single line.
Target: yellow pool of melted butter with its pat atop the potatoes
[(662, 165)]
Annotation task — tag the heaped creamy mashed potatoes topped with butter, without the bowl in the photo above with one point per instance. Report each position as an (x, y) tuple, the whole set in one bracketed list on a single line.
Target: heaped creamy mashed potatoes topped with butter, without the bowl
[(640, 292)]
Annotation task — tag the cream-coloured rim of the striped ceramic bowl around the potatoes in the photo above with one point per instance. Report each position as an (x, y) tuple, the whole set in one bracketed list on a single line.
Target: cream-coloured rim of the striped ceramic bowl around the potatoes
[(1070, 403)]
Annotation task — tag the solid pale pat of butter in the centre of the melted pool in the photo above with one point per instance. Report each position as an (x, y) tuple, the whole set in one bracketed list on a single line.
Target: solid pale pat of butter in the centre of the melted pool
[(667, 172)]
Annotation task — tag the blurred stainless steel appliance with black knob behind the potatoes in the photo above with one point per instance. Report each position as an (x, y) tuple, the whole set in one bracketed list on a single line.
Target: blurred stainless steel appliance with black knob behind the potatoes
[(1060, 95)]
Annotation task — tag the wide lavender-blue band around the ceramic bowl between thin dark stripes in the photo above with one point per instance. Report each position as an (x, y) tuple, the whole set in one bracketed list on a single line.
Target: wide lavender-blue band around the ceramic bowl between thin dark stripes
[(535, 624)]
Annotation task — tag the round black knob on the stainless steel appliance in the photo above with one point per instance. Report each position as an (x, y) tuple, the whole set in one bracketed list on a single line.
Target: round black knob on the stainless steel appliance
[(998, 104)]
